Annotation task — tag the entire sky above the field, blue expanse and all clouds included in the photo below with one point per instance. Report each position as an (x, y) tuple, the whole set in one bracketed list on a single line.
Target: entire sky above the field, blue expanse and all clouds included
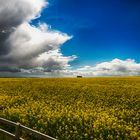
[(69, 38)]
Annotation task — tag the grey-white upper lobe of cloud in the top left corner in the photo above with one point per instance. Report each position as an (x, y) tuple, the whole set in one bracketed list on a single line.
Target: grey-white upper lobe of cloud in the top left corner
[(13, 13)]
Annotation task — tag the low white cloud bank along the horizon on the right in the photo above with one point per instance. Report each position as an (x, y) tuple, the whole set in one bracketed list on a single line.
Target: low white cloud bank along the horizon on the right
[(116, 67)]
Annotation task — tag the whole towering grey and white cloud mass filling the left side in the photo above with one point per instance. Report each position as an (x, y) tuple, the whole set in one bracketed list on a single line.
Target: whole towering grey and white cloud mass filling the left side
[(25, 47)]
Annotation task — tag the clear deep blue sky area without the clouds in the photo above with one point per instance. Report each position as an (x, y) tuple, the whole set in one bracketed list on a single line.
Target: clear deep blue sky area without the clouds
[(102, 30)]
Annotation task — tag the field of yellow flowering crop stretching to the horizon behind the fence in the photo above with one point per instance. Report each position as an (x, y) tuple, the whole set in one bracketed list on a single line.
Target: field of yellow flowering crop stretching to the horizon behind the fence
[(74, 109)]
